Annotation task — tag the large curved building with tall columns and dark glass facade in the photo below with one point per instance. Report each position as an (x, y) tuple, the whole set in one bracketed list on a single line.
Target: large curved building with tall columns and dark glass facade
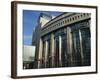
[(63, 41)]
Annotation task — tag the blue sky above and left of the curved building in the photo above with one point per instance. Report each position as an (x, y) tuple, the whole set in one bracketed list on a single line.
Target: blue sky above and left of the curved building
[(30, 19)]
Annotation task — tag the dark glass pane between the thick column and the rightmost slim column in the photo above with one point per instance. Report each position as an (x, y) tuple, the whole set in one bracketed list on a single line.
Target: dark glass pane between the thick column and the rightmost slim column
[(76, 49)]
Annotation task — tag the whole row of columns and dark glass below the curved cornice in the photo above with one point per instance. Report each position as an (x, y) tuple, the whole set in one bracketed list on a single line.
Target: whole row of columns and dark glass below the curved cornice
[(51, 52)]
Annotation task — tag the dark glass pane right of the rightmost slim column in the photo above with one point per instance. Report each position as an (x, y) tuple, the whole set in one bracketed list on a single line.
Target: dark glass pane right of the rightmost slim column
[(86, 45)]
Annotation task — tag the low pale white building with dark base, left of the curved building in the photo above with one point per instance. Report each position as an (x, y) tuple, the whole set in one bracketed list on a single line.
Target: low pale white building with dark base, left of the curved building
[(28, 57)]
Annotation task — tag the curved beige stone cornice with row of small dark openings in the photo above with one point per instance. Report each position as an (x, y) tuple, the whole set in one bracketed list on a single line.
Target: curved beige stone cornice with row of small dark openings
[(64, 20)]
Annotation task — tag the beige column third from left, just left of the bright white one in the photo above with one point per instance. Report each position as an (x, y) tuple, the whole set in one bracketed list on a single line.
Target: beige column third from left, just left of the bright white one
[(52, 49)]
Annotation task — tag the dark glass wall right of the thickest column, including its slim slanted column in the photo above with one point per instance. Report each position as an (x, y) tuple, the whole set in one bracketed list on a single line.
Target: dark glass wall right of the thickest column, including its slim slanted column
[(81, 47)]
